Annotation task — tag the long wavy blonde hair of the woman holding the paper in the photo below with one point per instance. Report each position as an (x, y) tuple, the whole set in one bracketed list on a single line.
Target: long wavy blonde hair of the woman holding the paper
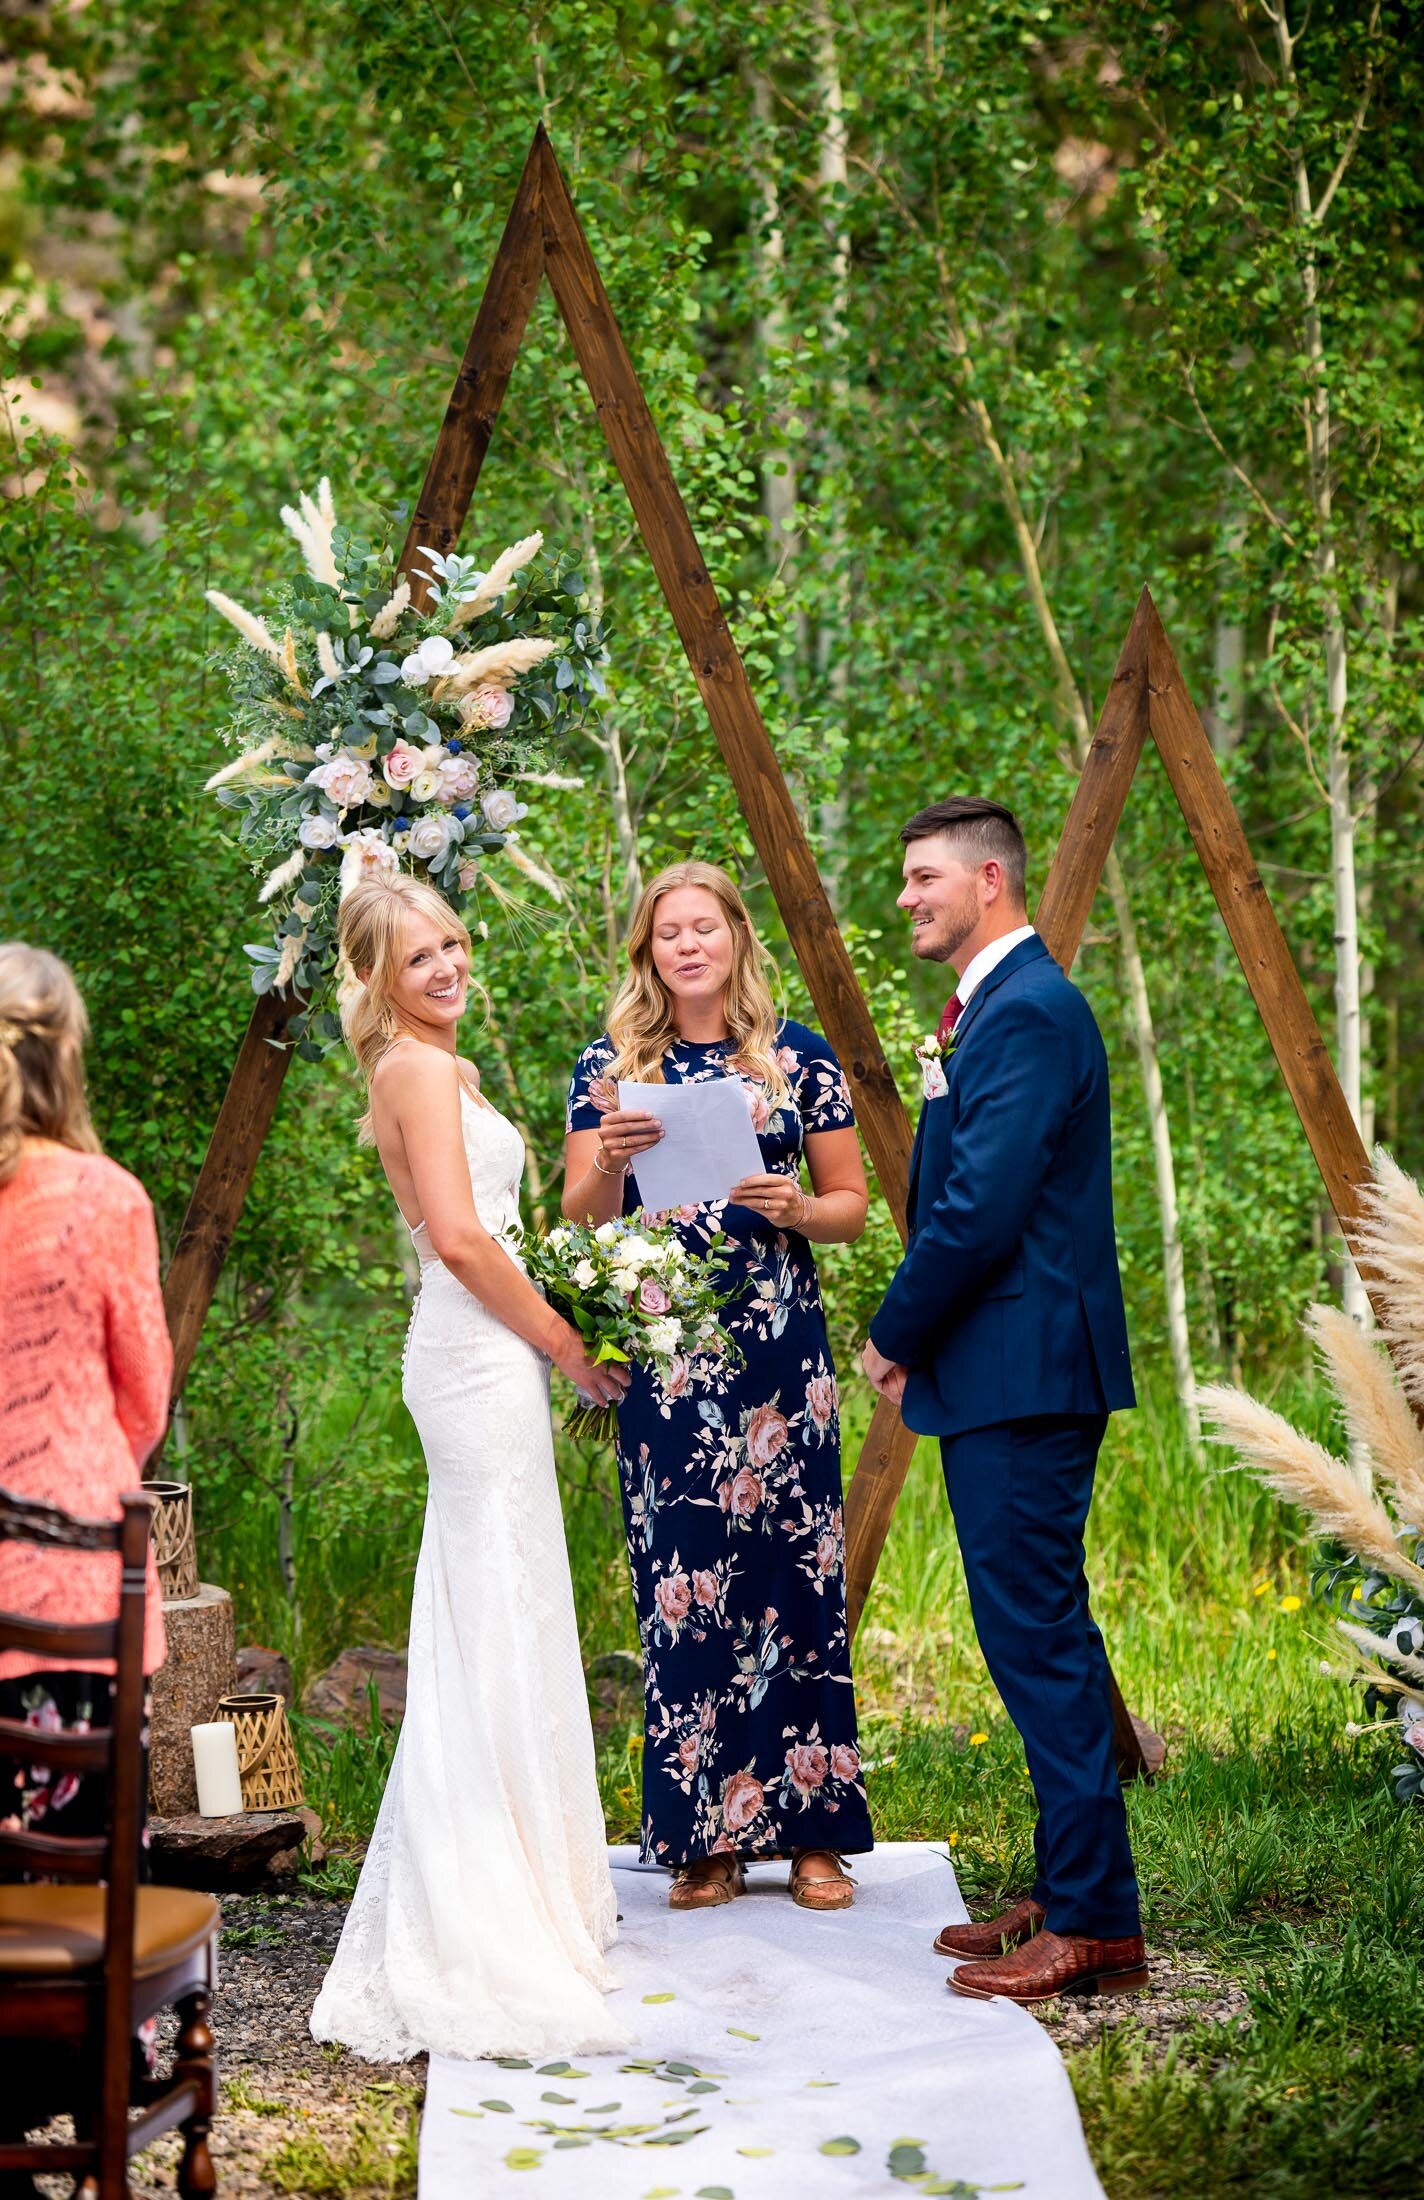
[(642, 1022)]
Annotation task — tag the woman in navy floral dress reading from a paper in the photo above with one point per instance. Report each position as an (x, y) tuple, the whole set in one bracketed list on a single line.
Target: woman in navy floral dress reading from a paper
[(732, 1477)]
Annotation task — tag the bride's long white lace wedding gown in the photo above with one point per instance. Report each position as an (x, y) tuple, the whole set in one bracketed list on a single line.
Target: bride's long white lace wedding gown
[(485, 1900)]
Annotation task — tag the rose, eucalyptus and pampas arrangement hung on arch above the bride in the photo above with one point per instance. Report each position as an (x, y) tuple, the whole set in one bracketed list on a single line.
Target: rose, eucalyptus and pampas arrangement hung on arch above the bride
[(375, 736)]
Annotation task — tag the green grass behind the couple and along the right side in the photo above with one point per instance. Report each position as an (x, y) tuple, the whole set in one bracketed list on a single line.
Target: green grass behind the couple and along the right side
[(1271, 1856)]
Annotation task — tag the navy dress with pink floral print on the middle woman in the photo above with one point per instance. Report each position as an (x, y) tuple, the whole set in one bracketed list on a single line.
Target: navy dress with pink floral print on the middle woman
[(732, 1501)]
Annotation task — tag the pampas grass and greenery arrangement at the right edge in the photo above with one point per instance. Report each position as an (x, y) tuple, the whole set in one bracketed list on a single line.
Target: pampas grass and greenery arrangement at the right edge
[(1370, 1506)]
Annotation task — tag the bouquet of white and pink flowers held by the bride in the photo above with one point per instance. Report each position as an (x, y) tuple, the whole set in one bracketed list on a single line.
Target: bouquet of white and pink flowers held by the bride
[(635, 1292)]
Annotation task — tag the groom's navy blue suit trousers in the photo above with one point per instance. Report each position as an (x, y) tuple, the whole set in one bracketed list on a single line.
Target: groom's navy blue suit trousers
[(1020, 1495)]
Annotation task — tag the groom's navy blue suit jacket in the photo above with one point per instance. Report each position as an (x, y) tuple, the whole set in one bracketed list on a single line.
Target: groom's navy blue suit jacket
[(1009, 1297)]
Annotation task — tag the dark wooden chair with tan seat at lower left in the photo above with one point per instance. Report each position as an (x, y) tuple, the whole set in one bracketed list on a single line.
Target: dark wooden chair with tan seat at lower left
[(85, 1963)]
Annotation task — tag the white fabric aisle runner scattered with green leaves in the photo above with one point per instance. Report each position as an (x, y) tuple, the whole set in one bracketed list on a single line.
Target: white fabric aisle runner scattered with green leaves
[(780, 2056)]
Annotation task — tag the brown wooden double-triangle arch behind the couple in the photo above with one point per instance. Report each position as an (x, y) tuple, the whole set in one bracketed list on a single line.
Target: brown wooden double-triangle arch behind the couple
[(545, 239)]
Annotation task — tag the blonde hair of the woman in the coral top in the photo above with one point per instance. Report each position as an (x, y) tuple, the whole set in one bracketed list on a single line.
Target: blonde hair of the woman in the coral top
[(43, 1031)]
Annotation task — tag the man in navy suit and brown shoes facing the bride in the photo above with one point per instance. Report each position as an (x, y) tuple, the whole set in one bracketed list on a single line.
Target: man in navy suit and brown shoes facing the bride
[(1003, 1334)]
